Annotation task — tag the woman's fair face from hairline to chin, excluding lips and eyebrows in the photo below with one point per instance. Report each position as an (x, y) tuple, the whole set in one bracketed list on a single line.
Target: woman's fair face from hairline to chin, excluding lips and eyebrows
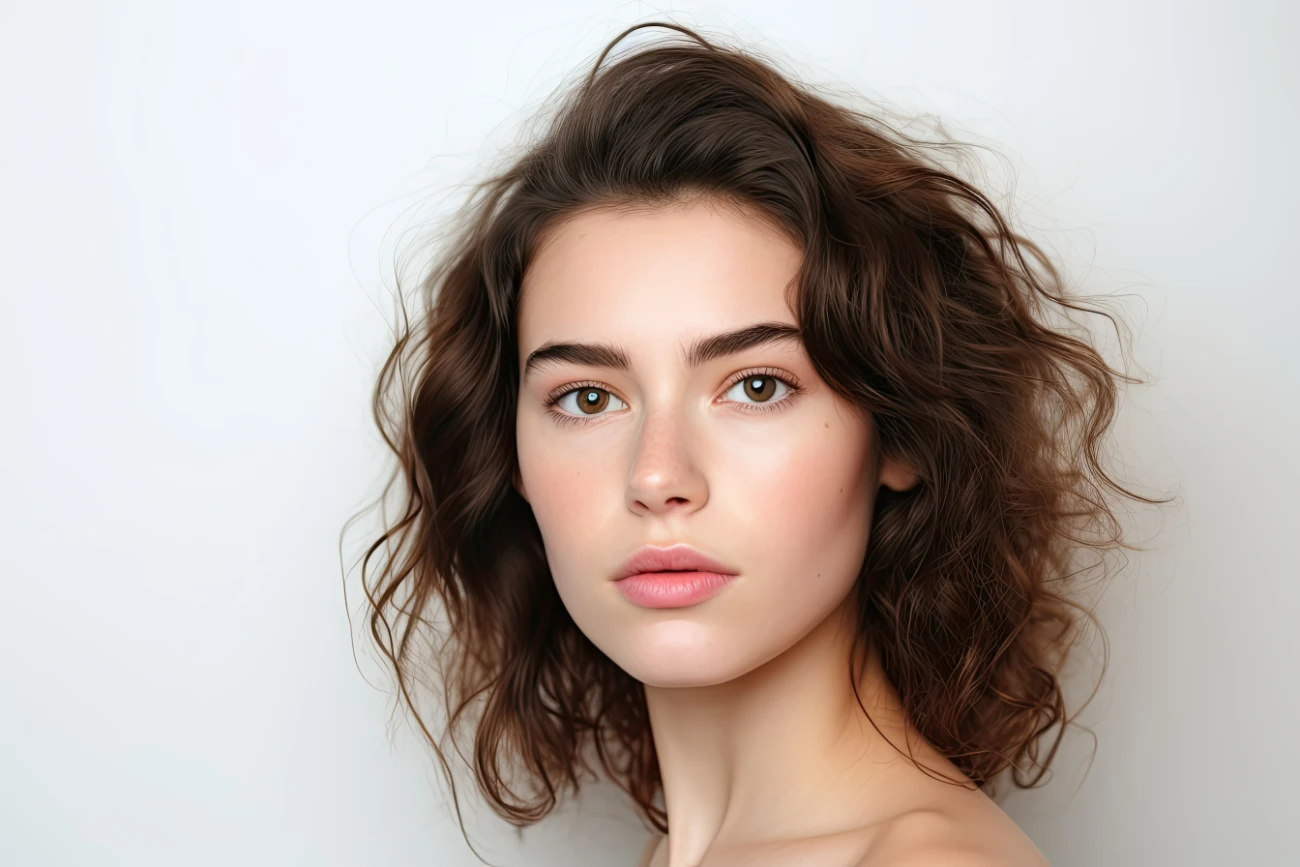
[(746, 456)]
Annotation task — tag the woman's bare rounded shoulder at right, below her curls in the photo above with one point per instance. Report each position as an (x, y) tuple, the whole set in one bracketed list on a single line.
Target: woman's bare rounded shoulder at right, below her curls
[(965, 833)]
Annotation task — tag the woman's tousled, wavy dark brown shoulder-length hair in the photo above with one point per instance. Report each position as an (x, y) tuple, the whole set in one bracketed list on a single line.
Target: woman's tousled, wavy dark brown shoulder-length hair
[(917, 302)]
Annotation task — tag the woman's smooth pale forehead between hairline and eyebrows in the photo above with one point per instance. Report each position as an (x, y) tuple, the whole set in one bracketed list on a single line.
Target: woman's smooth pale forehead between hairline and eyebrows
[(655, 275)]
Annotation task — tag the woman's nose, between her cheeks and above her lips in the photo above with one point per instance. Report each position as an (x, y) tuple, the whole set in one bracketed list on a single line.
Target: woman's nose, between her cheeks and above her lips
[(665, 476)]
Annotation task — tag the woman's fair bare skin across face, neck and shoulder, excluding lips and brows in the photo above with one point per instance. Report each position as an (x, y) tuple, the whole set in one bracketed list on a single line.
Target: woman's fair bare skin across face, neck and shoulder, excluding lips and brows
[(765, 755)]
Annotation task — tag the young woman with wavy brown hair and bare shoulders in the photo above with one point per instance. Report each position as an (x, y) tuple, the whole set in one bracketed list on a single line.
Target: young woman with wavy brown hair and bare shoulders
[(740, 461)]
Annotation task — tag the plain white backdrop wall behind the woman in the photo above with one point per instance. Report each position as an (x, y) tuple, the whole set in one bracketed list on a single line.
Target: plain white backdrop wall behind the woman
[(202, 209)]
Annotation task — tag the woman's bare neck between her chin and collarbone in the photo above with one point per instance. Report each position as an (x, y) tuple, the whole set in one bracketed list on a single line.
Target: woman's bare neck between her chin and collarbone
[(785, 752)]
